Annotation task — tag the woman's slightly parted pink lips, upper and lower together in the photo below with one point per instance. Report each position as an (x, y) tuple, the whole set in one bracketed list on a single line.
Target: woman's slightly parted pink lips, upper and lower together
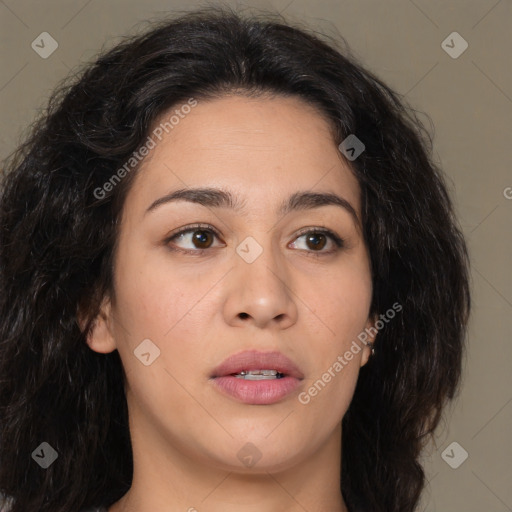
[(262, 392)]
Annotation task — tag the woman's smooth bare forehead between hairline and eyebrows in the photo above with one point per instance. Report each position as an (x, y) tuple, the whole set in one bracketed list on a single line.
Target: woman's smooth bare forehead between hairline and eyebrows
[(263, 149)]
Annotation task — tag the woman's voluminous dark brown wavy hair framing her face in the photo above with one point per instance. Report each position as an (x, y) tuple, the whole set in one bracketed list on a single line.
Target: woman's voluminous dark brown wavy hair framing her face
[(57, 242)]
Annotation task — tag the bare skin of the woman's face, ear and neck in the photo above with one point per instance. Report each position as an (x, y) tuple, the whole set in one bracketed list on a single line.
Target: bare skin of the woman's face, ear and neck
[(185, 433)]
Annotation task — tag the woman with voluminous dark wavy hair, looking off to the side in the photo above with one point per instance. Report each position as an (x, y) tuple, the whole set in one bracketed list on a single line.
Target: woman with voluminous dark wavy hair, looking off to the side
[(232, 280)]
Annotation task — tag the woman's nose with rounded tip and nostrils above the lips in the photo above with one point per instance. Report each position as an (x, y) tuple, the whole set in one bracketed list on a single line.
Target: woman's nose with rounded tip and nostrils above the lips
[(260, 293)]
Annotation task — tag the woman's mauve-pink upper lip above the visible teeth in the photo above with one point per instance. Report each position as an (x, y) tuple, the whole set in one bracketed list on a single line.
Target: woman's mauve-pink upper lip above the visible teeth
[(254, 360)]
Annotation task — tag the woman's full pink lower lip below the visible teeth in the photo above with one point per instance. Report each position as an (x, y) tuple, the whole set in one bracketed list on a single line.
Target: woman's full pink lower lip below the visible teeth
[(257, 392)]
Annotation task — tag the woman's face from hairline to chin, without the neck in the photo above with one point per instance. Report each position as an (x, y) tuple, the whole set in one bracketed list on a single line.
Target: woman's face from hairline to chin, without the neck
[(250, 278)]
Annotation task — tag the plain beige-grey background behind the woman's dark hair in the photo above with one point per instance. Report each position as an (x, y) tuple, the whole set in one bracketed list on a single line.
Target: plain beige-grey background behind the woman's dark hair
[(469, 100)]
